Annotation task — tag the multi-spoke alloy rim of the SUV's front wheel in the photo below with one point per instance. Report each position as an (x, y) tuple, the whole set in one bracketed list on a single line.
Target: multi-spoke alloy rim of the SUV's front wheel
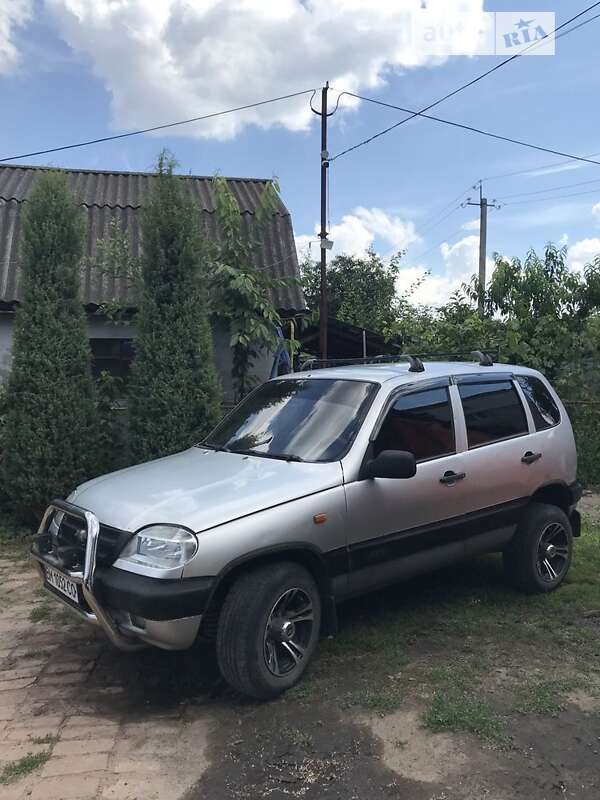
[(288, 632)]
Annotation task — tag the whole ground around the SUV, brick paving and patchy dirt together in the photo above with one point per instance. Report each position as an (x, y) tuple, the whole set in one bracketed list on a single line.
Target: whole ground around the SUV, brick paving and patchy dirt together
[(450, 687)]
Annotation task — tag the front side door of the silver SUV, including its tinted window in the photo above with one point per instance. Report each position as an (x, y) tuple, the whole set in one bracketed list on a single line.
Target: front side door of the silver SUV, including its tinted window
[(396, 526)]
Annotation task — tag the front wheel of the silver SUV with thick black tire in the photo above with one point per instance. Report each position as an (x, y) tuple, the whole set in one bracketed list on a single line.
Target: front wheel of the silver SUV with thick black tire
[(253, 621)]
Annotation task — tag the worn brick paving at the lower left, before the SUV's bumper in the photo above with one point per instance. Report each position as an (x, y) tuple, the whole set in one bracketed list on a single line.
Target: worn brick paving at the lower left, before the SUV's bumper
[(59, 702)]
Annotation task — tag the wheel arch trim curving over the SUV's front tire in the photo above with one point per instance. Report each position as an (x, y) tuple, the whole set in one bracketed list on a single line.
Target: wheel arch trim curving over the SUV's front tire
[(299, 552)]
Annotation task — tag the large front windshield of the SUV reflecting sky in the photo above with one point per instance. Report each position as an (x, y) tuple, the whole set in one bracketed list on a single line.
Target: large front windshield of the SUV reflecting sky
[(302, 419)]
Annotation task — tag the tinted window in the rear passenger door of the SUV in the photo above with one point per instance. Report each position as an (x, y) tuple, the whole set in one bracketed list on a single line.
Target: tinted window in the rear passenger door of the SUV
[(492, 411)]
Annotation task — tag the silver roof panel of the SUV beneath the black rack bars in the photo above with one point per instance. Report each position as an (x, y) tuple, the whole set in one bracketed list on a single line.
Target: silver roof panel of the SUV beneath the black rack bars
[(399, 372)]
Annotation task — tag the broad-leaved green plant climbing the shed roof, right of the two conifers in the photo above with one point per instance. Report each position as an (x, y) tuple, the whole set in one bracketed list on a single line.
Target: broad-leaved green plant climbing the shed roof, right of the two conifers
[(242, 293)]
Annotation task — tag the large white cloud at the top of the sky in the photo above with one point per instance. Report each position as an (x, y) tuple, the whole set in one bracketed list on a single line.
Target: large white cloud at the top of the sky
[(175, 59)]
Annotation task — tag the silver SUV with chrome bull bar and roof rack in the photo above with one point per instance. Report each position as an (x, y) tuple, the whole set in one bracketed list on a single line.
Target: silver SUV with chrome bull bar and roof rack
[(320, 485)]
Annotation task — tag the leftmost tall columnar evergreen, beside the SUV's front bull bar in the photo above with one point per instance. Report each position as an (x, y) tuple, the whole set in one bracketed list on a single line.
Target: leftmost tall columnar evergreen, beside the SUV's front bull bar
[(50, 433)]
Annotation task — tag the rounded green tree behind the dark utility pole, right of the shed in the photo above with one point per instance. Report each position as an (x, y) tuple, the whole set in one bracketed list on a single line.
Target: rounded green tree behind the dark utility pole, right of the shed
[(361, 290)]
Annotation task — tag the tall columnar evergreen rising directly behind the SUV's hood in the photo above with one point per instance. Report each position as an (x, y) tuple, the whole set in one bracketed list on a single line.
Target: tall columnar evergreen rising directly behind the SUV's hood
[(174, 390)]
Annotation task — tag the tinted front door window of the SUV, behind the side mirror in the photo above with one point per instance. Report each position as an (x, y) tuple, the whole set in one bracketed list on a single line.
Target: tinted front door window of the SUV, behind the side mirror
[(421, 423)]
